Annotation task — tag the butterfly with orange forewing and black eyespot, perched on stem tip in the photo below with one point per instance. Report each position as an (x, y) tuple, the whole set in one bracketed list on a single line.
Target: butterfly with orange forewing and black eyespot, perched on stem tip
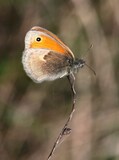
[(46, 57)]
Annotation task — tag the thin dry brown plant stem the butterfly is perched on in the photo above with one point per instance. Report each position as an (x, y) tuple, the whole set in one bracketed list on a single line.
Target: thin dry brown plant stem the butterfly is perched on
[(65, 130)]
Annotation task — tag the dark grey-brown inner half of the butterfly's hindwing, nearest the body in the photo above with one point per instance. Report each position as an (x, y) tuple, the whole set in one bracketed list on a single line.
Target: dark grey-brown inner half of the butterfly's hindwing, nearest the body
[(56, 66)]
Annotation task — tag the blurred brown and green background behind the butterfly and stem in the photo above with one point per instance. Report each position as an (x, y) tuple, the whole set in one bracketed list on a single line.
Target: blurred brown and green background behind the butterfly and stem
[(32, 115)]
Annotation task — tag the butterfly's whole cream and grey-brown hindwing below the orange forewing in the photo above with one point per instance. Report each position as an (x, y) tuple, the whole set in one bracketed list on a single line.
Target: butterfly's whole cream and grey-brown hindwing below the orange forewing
[(48, 66)]
